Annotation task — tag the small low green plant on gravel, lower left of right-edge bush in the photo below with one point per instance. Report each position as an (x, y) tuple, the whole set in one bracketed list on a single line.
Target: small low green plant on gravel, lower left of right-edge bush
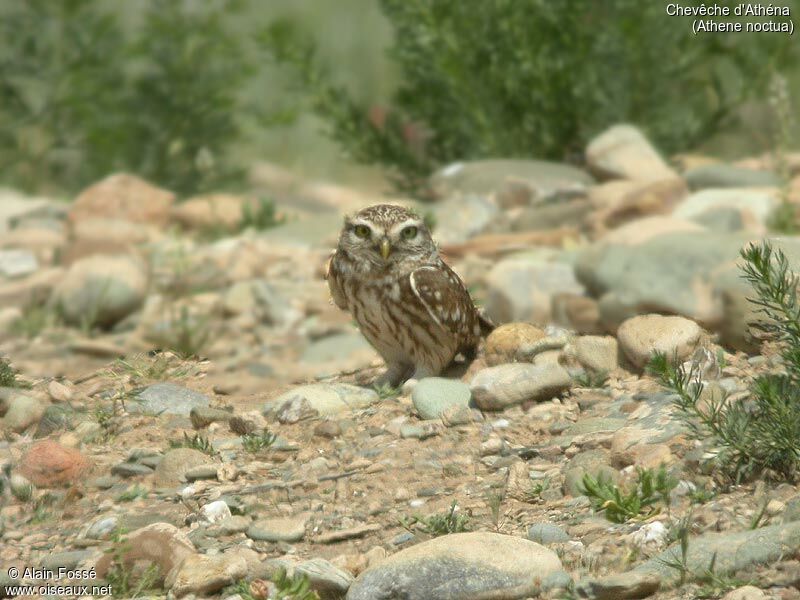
[(652, 488)]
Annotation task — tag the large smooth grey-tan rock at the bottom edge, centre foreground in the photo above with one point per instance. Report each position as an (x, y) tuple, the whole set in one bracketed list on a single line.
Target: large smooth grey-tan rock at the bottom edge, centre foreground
[(459, 566)]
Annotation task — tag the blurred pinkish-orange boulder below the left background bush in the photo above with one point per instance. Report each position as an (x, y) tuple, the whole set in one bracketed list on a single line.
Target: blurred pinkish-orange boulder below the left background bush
[(125, 197)]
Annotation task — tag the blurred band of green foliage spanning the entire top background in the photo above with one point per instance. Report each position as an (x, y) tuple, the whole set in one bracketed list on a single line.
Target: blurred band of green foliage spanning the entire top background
[(181, 93)]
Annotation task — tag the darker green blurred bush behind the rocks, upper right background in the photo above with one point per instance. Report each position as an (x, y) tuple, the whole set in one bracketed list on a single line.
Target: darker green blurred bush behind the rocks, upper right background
[(518, 78)]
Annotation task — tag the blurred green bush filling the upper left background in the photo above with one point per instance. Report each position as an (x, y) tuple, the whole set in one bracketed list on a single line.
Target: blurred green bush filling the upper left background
[(82, 96)]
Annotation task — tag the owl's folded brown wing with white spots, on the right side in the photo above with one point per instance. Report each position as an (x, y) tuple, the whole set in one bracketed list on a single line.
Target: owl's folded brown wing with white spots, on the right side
[(446, 300)]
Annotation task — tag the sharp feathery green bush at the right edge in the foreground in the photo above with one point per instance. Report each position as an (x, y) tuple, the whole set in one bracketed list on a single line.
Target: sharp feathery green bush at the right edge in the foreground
[(760, 435)]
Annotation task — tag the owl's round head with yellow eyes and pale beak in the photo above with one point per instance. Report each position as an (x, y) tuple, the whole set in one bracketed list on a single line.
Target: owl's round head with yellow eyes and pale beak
[(386, 234)]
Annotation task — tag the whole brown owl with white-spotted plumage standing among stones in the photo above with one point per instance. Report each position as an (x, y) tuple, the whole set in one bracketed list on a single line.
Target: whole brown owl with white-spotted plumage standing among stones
[(413, 309)]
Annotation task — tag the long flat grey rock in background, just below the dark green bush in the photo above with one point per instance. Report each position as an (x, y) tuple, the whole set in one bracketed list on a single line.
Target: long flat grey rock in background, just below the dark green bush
[(540, 180)]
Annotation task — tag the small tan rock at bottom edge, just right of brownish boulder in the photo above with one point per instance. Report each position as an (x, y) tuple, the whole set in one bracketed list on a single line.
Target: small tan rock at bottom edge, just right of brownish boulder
[(205, 575)]
